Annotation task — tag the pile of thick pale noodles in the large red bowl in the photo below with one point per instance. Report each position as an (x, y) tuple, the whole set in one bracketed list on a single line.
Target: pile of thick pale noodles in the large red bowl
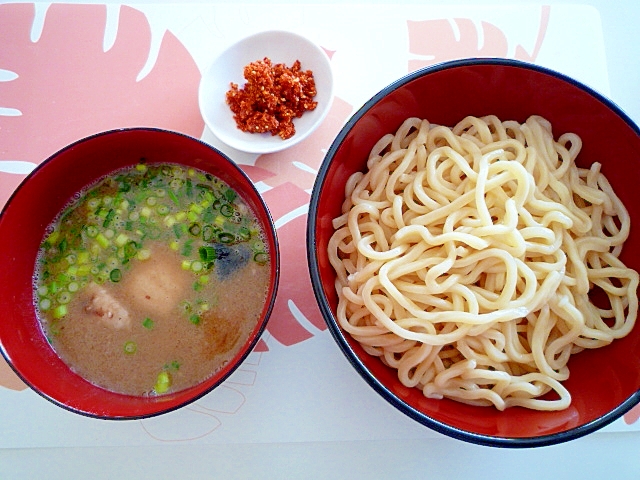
[(465, 258)]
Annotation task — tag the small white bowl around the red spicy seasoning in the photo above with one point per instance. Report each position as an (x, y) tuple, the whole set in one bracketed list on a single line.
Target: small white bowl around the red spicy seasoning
[(280, 47)]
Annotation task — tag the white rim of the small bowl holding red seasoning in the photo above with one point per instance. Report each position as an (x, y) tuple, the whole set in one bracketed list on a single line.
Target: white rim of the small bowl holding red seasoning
[(211, 124)]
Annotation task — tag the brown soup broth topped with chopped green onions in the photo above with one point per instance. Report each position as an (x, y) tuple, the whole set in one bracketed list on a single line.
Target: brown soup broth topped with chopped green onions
[(152, 279)]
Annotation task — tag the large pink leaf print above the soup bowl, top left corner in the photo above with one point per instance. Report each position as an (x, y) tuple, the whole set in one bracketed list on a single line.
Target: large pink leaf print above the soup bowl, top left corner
[(68, 87)]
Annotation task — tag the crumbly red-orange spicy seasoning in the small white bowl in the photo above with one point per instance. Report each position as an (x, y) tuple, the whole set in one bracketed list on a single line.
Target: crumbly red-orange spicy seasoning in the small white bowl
[(272, 97)]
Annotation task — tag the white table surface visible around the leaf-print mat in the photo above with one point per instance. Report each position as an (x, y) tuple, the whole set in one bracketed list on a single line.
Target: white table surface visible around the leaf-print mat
[(611, 454)]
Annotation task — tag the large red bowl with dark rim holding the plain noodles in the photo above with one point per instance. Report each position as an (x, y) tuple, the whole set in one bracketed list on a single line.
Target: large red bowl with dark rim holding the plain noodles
[(604, 383)]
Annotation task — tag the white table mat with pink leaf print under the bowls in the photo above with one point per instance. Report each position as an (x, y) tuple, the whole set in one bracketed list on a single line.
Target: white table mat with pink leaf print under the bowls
[(70, 70)]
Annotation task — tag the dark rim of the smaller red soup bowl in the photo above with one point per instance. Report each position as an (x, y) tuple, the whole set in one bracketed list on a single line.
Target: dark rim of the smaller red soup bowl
[(257, 334)]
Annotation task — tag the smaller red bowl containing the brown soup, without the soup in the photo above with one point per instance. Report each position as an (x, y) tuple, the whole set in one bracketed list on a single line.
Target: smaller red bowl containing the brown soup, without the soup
[(26, 216)]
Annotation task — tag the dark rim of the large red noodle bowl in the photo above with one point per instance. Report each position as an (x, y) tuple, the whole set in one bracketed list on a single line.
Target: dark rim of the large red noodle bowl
[(338, 334)]
